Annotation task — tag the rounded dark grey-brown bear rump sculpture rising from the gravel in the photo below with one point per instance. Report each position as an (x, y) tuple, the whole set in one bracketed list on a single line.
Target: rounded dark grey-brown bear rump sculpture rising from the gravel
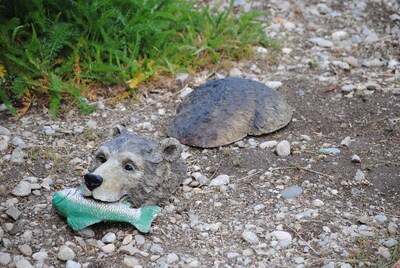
[(224, 111)]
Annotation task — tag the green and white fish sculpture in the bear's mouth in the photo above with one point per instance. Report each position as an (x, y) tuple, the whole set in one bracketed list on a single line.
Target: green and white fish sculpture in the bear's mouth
[(82, 211)]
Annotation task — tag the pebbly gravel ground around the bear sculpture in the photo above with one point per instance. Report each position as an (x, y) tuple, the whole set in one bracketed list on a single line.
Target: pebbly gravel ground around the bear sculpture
[(333, 202)]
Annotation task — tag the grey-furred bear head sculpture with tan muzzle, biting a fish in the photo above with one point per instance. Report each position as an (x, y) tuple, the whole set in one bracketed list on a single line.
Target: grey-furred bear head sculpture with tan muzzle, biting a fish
[(145, 171)]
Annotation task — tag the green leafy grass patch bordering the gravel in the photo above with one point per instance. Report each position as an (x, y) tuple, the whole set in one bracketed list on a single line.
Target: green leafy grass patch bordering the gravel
[(61, 47)]
